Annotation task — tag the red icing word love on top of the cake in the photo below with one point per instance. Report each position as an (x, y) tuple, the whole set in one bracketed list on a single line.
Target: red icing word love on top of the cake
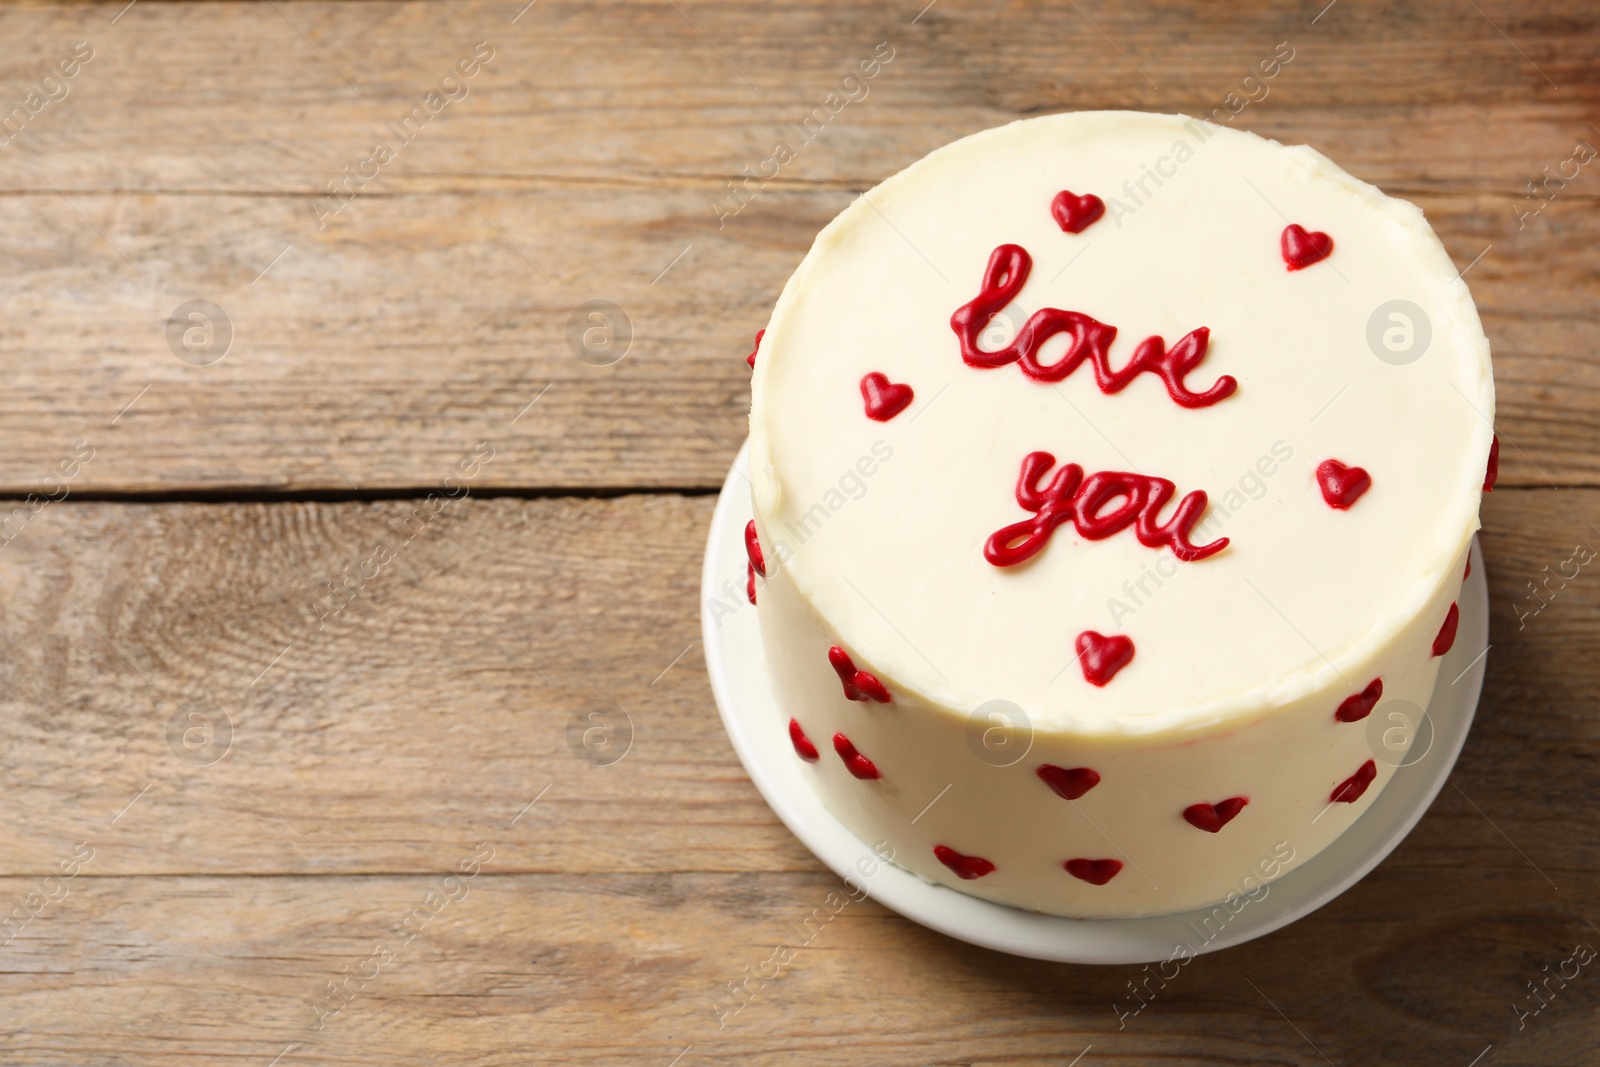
[(1090, 340)]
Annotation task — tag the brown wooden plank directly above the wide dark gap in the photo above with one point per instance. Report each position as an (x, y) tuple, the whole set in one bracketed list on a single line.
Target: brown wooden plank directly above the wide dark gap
[(374, 356)]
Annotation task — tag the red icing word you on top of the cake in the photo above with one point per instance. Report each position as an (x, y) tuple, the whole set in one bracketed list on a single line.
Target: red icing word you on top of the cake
[(1098, 506)]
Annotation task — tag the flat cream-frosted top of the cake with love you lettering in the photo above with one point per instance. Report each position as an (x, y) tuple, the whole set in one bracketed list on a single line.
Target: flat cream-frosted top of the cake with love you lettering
[(1282, 318)]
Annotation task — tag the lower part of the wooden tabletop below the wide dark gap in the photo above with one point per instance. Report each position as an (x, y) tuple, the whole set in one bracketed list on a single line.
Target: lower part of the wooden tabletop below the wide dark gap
[(383, 746)]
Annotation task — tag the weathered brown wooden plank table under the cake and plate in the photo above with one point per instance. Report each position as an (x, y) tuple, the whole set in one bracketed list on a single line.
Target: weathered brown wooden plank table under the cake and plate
[(297, 620)]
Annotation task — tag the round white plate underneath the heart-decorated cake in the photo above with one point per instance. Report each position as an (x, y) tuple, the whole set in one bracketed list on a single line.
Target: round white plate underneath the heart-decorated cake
[(761, 735)]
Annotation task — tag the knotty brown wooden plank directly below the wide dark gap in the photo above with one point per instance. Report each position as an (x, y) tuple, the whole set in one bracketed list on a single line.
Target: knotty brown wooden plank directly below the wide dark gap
[(436, 706)]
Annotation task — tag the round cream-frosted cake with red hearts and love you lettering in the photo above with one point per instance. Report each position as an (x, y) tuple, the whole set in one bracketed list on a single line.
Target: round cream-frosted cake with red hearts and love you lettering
[(1111, 474)]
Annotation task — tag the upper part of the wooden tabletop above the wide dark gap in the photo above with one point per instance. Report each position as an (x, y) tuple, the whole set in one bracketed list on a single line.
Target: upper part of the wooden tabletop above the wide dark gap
[(372, 346)]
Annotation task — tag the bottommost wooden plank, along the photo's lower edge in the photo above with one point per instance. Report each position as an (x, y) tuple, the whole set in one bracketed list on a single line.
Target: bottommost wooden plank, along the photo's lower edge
[(1417, 965)]
